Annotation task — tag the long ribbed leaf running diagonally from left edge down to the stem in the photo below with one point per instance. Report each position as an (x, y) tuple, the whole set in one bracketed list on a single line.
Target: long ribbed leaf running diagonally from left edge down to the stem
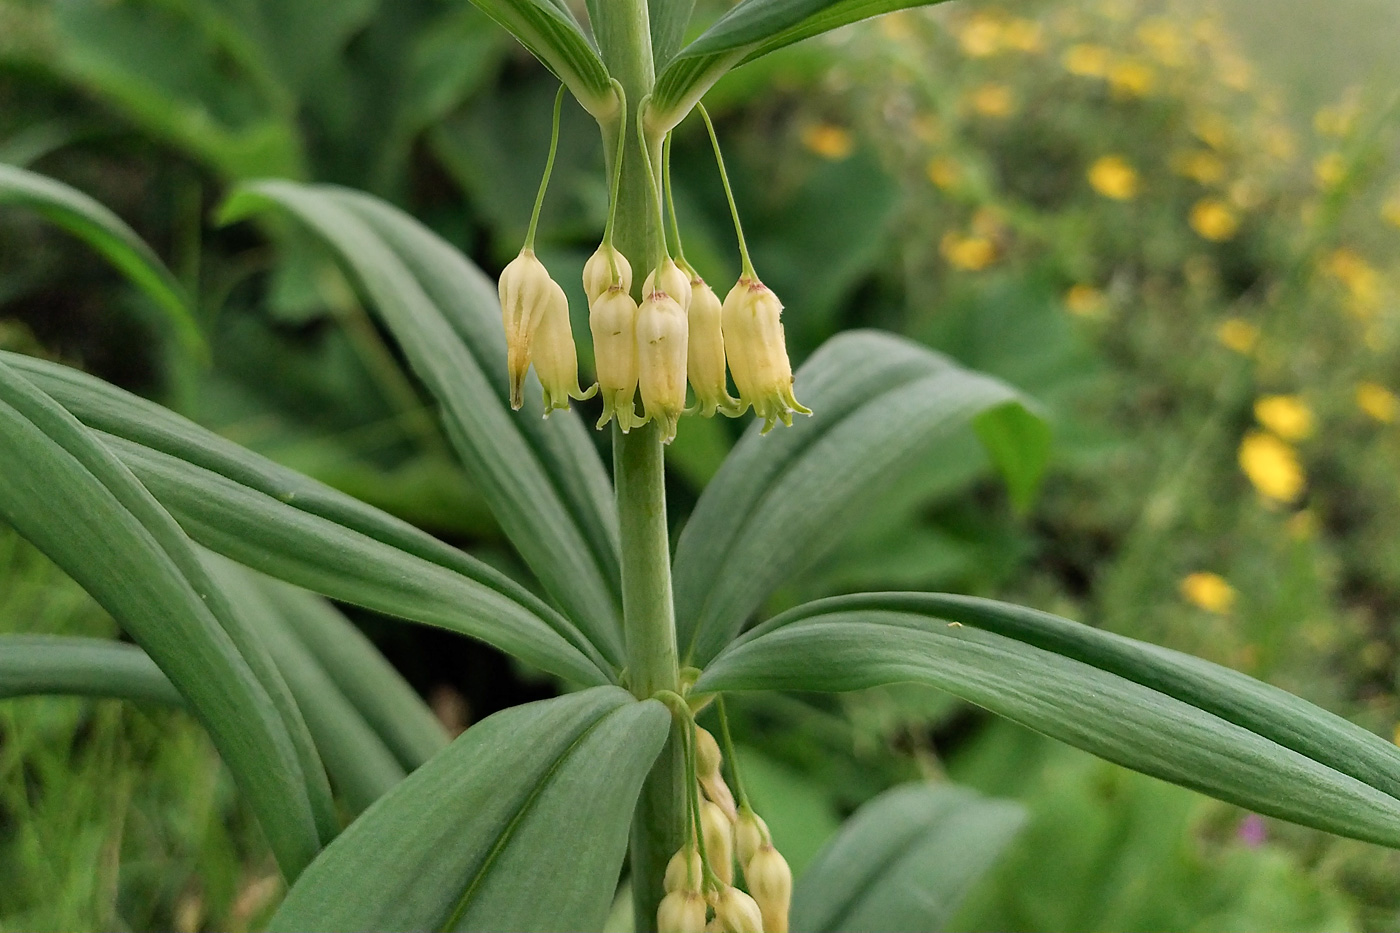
[(309, 534)]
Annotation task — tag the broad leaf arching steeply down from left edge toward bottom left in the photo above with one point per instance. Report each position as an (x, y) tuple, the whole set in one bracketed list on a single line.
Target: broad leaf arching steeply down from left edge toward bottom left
[(68, 495)]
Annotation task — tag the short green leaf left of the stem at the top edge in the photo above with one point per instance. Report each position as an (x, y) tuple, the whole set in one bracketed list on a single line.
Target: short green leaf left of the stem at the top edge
[(551, 33)]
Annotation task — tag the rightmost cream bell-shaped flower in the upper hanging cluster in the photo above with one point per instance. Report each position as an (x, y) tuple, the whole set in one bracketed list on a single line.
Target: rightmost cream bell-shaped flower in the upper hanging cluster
[(758, 352)]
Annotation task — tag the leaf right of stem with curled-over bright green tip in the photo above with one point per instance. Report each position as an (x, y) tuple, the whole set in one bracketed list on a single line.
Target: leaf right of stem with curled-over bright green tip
[(881, 406)]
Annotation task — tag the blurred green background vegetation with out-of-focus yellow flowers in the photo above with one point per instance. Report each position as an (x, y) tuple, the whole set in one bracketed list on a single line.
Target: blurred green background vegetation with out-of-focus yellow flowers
[(1175, 226)]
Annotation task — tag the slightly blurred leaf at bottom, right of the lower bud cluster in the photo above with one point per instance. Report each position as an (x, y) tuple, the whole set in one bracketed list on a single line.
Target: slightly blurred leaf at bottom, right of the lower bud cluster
[(905, 861)]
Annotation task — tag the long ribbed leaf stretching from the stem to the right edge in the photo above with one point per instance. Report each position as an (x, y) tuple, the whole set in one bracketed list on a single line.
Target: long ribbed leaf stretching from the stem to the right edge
[(1156, 711)]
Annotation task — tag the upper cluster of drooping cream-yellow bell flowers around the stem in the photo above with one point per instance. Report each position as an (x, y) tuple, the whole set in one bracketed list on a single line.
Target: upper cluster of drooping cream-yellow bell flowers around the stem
[(678, 336)]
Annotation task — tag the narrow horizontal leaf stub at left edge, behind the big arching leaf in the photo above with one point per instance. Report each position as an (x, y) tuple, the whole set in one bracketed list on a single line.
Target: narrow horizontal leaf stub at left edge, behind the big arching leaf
[(55, 665)]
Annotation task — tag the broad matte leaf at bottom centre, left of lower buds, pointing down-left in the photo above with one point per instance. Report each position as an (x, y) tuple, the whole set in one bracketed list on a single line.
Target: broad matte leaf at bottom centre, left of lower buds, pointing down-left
[(521, 824)]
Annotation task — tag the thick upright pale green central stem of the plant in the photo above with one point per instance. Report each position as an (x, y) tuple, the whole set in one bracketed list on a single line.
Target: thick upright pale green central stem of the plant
[(624, 30)]
